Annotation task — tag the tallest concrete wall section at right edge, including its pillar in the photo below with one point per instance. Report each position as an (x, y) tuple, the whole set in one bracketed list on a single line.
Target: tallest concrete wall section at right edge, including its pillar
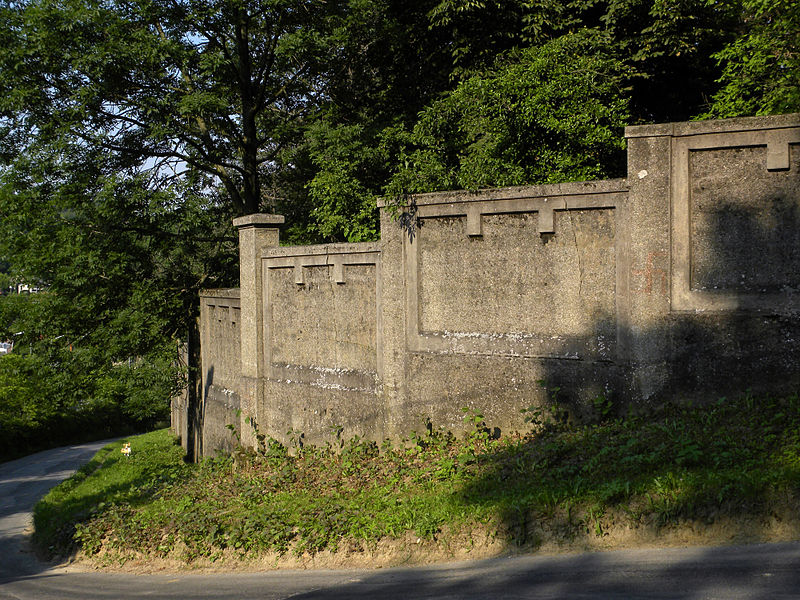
[(714, 257)]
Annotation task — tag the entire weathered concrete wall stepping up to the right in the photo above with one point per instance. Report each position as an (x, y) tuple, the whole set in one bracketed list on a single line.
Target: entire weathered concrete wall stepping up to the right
[(680, 281)]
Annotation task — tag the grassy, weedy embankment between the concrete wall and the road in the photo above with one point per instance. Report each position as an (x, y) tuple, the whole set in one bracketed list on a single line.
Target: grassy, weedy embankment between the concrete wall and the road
[(557, 484)]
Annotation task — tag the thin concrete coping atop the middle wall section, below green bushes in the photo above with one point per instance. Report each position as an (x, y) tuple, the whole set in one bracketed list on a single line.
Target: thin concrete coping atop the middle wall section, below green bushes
[(550, 190)]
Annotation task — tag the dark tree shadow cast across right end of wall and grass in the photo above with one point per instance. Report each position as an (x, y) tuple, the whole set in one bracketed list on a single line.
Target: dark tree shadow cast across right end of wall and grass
[(743, 358)]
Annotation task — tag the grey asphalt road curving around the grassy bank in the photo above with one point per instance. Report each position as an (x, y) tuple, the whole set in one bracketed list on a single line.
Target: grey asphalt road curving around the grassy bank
[(763, 572)]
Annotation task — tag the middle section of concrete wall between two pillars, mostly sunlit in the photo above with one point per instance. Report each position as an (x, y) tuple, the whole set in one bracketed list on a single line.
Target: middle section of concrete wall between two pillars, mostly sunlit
[(504, 289)]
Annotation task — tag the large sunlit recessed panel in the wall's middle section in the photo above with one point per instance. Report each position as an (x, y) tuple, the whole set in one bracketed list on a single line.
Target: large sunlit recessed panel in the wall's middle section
[(516, 291)]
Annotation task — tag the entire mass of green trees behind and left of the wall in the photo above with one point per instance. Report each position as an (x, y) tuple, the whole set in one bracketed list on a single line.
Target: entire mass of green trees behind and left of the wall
[(132, 132)]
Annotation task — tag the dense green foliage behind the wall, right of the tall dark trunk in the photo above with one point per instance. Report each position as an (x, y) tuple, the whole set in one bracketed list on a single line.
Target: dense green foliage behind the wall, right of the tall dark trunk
[(510, 111)]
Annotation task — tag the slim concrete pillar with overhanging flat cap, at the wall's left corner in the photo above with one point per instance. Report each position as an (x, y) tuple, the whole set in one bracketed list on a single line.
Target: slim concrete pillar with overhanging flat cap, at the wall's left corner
[(256, 233)]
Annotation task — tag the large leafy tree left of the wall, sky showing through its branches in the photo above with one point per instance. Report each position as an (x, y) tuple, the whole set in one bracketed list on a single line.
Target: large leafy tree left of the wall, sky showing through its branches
[(132, 132)]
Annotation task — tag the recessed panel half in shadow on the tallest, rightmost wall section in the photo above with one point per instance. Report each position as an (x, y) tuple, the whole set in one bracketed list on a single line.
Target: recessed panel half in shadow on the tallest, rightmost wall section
[(744, 238)]
